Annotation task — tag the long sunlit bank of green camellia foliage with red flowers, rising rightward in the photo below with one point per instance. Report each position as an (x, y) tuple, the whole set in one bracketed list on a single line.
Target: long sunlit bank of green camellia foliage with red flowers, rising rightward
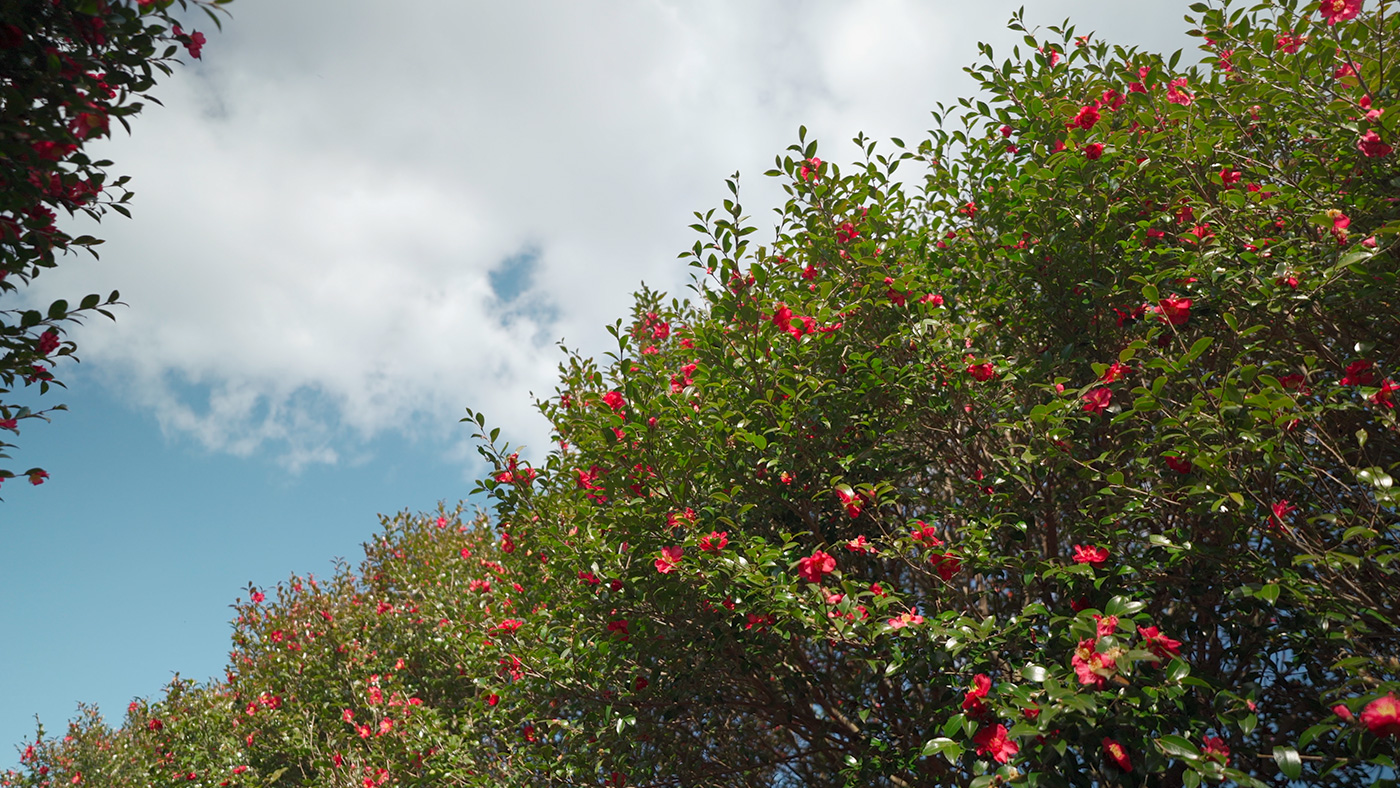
[(1069, 464)]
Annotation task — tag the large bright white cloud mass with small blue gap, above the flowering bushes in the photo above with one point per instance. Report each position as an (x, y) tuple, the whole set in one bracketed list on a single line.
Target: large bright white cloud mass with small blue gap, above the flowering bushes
[(321, 204)]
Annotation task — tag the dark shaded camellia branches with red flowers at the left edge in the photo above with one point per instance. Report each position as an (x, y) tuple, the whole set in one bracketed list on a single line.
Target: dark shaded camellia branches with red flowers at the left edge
[(71, 69)]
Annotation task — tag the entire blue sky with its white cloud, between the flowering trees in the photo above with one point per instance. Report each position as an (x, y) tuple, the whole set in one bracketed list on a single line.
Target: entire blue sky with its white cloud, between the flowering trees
[(349, 226)]
